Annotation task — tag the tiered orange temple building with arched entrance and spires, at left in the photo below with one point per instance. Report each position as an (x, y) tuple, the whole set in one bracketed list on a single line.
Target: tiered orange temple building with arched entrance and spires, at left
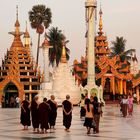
[(18, 74)]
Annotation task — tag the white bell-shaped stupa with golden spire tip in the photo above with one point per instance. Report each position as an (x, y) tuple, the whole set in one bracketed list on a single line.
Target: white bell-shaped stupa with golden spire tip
[(64, 81)]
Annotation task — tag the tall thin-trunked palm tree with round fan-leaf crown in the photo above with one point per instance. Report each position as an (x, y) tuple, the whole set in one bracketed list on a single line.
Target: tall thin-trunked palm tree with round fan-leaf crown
[(40, 18)]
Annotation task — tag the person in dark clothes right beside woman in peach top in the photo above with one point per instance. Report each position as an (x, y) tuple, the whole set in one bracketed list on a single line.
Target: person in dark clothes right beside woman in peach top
[(97, 113)]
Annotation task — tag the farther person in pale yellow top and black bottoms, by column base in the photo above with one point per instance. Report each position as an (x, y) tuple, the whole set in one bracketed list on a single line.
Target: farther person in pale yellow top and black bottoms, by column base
[(82, 106)]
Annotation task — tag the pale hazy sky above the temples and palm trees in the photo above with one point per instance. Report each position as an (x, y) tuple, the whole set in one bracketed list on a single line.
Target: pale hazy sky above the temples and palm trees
[(120, 18)]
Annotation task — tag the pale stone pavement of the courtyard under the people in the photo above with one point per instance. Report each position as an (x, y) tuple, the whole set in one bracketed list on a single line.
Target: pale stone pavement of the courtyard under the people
[(112, 126)]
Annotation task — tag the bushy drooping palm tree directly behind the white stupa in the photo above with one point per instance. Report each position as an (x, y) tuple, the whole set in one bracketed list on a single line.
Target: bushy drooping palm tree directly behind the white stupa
[(56, 38)]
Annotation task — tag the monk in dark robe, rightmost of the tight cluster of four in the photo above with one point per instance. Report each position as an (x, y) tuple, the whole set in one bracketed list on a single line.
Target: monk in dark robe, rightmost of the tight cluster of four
[(53, 112)]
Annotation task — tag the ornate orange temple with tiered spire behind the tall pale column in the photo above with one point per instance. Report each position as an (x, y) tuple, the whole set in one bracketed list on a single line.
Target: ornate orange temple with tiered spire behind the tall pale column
[(115, 78)]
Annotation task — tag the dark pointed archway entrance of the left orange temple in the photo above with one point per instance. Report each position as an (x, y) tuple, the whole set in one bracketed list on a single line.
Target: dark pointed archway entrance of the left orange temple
[(10, 94)]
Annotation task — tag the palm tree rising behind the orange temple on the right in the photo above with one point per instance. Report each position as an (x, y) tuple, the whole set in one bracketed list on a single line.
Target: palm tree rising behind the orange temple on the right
[(119, 49)]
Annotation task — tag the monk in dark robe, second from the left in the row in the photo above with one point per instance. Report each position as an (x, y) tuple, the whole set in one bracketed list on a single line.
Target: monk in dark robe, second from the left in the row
[(35, 113)]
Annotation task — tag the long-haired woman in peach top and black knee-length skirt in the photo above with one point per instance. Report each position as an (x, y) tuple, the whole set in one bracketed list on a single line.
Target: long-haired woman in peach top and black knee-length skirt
[(89, 115)]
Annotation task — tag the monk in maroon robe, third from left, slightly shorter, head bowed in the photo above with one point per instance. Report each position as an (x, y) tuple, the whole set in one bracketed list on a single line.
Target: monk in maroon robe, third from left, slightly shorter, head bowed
[(44, 110)]
